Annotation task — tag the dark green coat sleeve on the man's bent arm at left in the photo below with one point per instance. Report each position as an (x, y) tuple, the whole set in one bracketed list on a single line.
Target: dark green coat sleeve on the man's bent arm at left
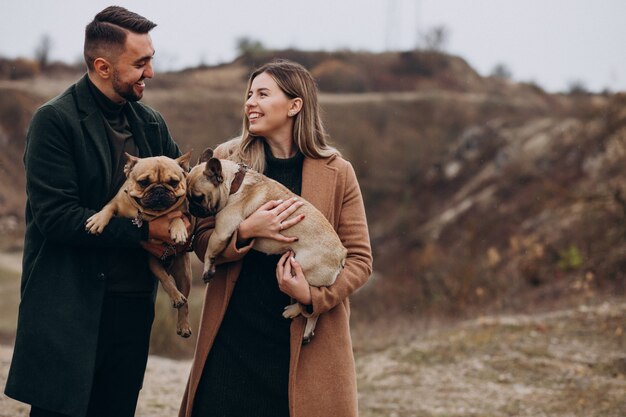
[(52, 186)]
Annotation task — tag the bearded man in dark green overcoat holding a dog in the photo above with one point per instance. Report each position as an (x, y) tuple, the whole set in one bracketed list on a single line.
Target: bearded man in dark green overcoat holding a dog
[(87, 302)]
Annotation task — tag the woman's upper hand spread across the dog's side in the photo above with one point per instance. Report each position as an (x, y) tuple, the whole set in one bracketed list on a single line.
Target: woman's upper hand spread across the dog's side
[(270, 219)]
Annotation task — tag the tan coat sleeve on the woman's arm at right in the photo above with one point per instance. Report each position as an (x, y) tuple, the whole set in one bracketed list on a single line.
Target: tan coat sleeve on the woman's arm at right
[(353, 232)]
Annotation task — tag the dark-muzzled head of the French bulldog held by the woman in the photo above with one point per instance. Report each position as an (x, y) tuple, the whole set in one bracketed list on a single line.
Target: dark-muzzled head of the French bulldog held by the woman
[(206, 192)]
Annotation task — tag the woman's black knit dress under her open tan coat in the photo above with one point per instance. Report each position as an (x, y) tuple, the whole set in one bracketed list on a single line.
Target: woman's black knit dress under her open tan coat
[(247, 370)]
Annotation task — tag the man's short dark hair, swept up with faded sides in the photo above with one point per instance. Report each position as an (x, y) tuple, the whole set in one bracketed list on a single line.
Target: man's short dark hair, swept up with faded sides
[(106, 34)]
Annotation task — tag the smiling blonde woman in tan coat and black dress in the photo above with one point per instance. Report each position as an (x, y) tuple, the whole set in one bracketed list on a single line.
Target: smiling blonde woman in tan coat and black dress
[(249, 360)]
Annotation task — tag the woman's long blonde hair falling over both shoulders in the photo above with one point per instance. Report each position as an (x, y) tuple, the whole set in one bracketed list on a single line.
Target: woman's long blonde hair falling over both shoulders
[(309, 135)]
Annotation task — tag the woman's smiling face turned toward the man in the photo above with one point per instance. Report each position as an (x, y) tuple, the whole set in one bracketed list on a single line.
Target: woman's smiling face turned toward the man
[(267, 109)]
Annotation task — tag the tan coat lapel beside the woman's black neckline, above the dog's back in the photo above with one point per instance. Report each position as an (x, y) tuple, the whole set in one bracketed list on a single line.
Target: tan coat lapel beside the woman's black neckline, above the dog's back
[(319, 183)]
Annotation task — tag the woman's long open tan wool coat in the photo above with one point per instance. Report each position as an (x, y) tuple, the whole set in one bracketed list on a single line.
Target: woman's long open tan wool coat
[(322, 377)]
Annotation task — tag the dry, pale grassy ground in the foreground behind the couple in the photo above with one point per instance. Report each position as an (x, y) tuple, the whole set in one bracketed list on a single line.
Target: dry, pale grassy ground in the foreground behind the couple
[(568, 363)]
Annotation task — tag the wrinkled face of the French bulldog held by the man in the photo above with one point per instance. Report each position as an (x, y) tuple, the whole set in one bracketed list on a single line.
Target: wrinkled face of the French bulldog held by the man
[(157, 183)]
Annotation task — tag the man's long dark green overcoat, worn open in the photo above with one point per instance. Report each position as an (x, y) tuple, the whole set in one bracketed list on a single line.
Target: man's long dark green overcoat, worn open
[(68, 176)]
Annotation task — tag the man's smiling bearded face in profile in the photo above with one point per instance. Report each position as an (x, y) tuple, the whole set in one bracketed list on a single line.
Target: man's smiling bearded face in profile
[(132, 67)]
